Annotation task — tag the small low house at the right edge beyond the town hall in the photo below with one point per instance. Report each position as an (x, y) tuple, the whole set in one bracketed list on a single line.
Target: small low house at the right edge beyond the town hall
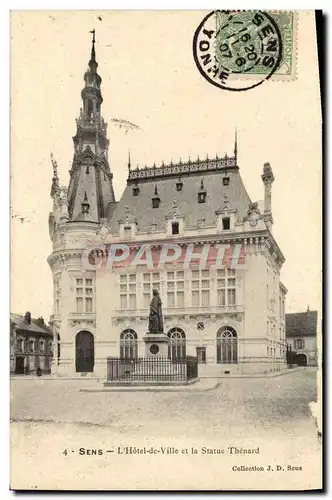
[(301, 334)]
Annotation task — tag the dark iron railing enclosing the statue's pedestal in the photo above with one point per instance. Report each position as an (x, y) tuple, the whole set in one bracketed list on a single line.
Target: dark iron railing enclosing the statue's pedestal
[(151, 369)]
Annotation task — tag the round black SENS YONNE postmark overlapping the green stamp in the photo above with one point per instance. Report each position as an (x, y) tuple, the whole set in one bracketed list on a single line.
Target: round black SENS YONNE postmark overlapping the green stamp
[(237, 50)]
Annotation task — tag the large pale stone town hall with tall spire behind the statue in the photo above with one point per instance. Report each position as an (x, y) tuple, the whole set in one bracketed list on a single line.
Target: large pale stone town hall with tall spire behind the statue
[(233, 319)]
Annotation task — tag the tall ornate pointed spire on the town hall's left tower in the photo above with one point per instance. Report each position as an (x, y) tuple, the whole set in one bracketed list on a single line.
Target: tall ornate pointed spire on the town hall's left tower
[(90, 171)]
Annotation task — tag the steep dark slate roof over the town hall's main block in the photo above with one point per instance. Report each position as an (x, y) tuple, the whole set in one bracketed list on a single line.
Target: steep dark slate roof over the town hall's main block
[(186, 199)]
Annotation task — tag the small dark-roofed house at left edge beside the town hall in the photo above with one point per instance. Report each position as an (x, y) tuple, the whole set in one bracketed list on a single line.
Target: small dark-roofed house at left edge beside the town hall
[(31, 344)]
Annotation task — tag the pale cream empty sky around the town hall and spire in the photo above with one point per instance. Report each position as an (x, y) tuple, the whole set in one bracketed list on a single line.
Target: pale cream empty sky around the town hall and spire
[(150, 79)]
